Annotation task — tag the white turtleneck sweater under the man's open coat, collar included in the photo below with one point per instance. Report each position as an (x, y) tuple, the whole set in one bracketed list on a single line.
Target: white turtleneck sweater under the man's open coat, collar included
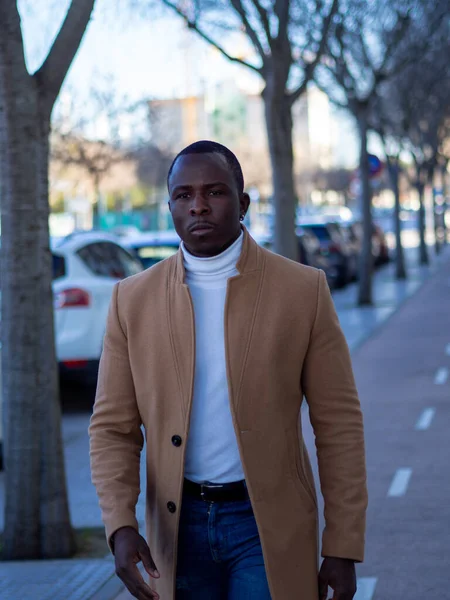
[(212, 452)]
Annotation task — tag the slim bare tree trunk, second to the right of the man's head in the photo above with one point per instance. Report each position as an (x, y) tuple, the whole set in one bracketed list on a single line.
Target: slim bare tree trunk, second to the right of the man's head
[(366, 261)]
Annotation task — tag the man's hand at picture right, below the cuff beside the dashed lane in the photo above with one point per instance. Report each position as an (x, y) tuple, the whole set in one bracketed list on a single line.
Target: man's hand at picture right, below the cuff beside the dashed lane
[(340, 575)]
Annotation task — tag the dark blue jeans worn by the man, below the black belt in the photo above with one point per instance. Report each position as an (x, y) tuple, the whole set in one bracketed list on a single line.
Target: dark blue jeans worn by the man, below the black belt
[(219, 552)]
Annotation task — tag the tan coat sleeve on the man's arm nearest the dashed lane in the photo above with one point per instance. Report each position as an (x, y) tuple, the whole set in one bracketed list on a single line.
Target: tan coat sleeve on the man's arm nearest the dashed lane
[(335, 413)]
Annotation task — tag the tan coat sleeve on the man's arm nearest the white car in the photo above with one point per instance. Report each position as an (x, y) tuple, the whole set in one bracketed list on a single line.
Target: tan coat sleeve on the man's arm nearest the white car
[(116, 438)]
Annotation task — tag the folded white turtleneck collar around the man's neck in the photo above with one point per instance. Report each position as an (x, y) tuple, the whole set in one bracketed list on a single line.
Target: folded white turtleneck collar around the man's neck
[(221, 266)]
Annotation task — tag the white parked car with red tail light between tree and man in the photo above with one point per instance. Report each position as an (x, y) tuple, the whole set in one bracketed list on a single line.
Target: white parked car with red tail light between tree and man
[(86, 266)]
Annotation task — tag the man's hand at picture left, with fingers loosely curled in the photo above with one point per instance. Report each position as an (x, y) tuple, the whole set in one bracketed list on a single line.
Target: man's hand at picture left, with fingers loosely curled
[(130, 548)]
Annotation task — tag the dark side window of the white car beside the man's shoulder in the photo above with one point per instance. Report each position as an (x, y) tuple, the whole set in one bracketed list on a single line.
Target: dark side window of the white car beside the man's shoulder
[(107, 259)]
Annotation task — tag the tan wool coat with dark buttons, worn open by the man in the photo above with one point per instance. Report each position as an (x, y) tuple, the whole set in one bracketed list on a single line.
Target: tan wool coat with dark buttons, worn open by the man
[(283, 342)]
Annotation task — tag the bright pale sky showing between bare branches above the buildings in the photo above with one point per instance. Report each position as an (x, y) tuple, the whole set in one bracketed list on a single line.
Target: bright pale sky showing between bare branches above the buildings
[(146, 57)]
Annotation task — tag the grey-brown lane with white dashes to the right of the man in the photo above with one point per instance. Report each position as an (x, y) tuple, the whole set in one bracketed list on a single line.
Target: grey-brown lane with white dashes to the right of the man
[(403, 378)]
